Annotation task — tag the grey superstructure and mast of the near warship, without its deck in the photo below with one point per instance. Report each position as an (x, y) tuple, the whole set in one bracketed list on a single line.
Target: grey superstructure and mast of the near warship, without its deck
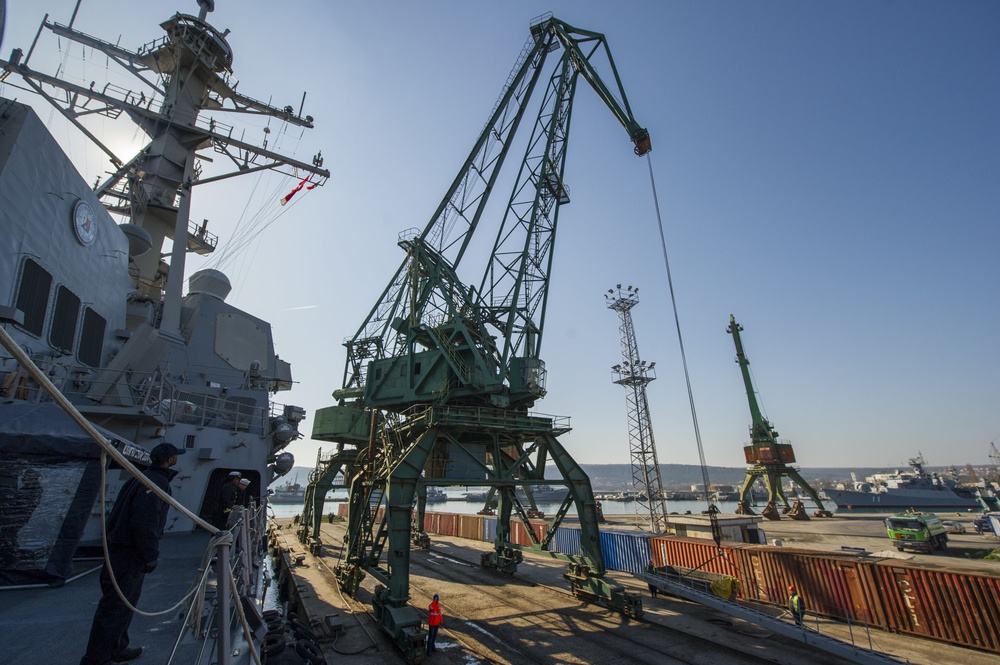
[(99, 307)]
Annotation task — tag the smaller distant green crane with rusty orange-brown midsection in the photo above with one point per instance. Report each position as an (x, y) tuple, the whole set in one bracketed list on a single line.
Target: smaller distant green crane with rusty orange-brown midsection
[(768, 459)]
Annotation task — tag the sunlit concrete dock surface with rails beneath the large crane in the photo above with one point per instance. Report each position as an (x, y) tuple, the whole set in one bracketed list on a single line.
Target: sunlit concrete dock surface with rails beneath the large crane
[(531, 617)]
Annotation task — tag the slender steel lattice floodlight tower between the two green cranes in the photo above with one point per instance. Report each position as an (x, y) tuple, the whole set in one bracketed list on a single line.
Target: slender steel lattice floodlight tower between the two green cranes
[(634, 374)]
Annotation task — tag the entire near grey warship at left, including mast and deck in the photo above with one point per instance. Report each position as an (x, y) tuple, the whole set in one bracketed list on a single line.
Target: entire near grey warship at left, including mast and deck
[(104, 356)]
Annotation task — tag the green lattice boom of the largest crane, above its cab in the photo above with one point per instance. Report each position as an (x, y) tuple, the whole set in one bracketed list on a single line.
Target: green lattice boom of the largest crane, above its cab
[(509, 303)]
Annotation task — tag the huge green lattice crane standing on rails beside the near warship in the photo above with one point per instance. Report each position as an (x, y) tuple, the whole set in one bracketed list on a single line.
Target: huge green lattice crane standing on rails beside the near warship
[(441, 375)]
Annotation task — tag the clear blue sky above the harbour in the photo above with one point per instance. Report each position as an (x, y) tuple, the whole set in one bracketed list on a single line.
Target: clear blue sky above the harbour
[(829, 172)]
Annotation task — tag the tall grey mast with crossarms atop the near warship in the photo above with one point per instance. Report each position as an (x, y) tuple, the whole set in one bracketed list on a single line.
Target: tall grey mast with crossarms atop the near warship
[(182, 74)]
